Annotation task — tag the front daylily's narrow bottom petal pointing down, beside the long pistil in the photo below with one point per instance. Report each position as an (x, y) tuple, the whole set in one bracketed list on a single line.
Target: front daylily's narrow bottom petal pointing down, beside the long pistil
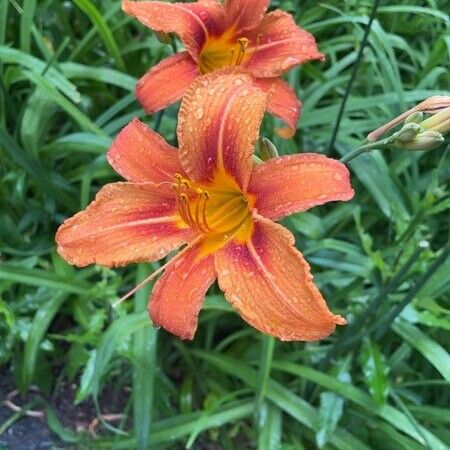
[(178, 295)]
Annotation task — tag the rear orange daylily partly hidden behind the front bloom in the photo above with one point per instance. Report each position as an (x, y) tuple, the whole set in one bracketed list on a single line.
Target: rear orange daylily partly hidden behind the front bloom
[(216, 35)]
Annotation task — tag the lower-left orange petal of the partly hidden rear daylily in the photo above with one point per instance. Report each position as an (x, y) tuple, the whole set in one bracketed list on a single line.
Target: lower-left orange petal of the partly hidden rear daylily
[(166, 82)]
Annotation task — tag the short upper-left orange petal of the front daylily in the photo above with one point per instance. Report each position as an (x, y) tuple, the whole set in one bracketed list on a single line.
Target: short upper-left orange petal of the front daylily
[(140, 155)]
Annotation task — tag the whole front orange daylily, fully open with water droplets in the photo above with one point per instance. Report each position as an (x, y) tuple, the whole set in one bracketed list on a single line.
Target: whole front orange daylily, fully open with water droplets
[(210, 196)]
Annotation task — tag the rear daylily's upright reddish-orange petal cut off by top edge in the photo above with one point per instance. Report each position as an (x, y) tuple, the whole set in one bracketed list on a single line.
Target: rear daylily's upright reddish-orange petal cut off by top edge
[(245, 13)]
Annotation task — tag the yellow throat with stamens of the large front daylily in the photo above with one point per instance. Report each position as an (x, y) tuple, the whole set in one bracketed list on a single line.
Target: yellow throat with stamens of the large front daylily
[(219, 211)]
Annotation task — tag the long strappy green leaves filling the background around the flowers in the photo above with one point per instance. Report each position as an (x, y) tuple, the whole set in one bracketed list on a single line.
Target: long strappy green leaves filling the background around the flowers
[(67, 74)]
